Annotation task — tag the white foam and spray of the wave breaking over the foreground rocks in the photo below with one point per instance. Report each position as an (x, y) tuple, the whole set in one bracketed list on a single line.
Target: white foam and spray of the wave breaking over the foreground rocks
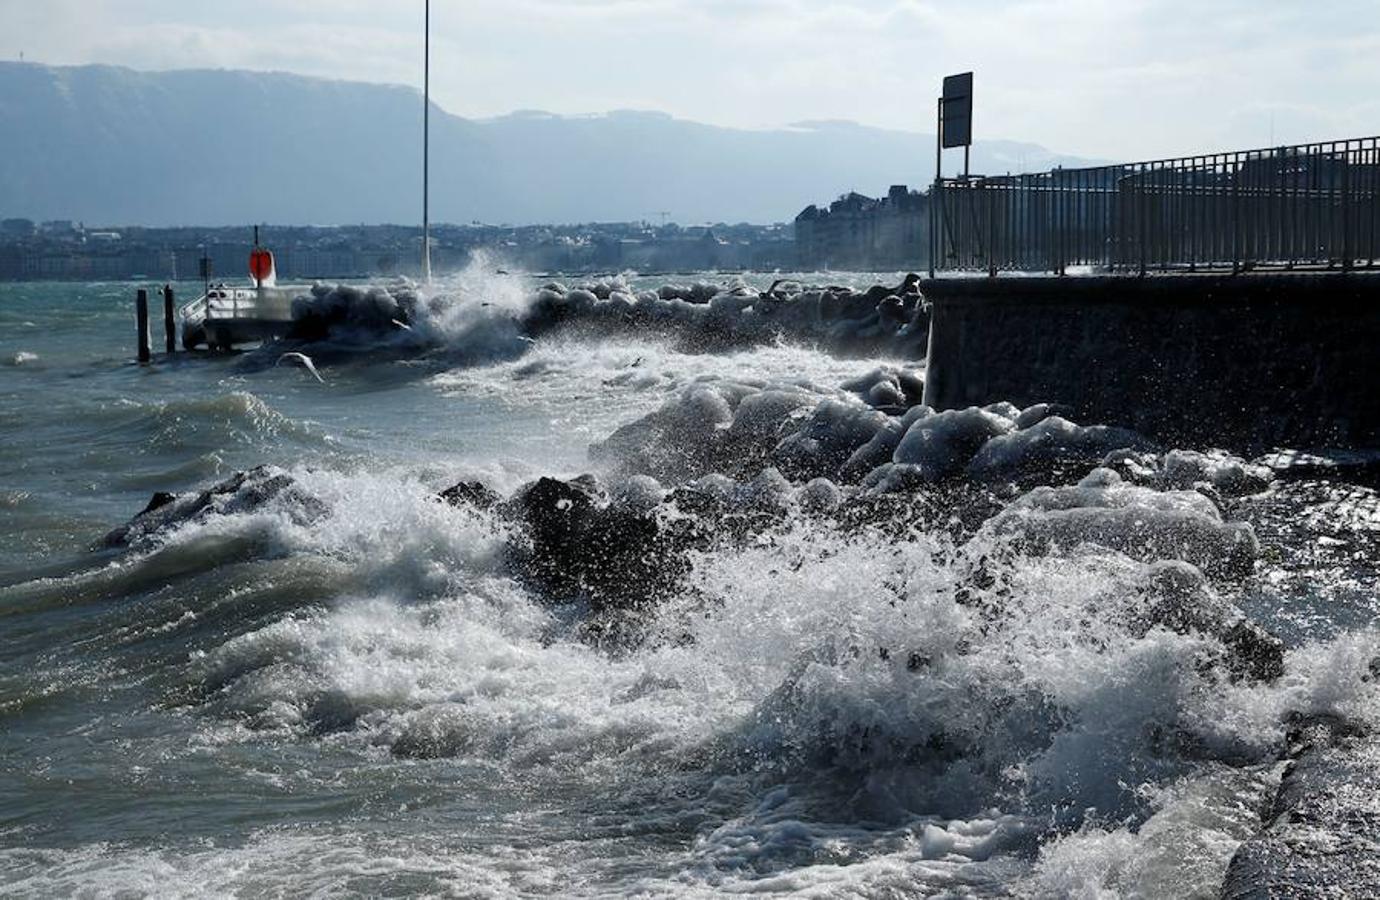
[(851, 710)]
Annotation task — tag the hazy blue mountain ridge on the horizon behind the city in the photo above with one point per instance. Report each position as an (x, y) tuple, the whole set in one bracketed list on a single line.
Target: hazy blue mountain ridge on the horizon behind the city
[(112, 146)]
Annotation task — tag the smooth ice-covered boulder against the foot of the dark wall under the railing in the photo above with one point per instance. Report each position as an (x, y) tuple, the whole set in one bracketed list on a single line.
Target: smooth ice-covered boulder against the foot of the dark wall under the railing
[(1049, 447)]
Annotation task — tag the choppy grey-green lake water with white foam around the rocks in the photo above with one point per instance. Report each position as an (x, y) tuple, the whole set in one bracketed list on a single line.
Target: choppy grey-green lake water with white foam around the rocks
[(238, 707)]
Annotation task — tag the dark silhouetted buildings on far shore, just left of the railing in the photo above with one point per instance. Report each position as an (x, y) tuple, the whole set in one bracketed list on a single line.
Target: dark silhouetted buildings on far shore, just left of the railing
[(862, 234)]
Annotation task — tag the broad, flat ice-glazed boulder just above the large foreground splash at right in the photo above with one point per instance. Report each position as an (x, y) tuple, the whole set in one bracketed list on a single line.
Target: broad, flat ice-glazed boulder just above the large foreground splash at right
[(1139, 522)]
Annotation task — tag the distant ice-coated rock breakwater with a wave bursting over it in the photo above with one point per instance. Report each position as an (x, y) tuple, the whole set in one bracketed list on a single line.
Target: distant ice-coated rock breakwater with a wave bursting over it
[(482, 317)]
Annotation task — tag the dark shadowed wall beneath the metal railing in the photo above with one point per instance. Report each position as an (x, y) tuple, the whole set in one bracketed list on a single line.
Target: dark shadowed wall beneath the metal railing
[(1248, 361)]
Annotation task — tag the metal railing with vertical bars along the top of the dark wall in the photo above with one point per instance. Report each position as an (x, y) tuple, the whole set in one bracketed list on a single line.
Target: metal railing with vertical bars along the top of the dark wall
[(1314, 205)]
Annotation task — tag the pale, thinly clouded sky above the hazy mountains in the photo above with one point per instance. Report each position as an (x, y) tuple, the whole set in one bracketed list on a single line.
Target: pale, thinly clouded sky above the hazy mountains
[(1113, 79)]
